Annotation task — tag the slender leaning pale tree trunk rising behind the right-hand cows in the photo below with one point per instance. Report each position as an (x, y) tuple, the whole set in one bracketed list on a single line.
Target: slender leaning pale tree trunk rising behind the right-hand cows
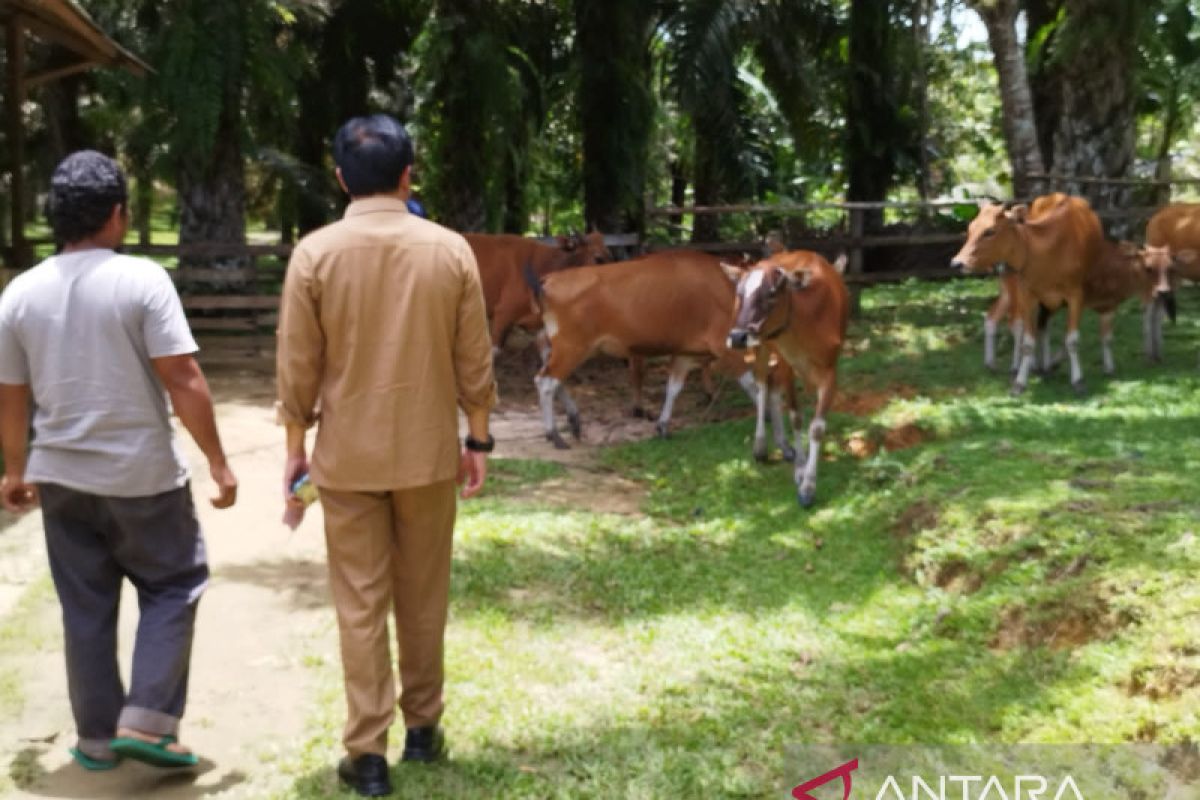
[(1017, 101)]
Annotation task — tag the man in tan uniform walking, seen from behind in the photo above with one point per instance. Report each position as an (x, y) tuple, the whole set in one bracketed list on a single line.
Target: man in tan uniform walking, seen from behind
[(383, 330)]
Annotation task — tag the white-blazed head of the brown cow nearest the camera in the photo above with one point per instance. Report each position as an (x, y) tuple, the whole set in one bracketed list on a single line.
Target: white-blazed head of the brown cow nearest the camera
[(763, 302)]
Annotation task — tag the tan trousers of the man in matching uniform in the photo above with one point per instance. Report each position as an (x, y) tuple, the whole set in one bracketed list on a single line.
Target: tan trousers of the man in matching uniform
[(391, 551)]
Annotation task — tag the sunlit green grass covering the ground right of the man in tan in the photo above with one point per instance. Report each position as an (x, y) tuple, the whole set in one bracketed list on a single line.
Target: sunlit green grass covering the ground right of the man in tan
[(1028, 574)]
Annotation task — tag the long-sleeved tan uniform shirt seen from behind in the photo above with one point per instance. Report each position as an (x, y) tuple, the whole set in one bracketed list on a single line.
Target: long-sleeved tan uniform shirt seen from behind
[(383, 322)]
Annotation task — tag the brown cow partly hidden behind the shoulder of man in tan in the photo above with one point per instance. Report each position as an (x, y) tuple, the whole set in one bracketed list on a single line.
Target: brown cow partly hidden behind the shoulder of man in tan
[(502, 261)]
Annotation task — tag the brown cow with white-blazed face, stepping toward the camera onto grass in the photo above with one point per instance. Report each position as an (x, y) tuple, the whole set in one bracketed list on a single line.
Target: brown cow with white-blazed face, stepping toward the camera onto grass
[(797, 304)]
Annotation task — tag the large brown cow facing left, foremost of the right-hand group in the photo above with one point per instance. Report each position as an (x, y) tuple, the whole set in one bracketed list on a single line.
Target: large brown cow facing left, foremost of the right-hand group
[(1052, 255)]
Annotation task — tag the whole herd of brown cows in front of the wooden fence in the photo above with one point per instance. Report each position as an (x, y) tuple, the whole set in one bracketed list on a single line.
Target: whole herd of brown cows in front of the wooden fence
[(767, 322)]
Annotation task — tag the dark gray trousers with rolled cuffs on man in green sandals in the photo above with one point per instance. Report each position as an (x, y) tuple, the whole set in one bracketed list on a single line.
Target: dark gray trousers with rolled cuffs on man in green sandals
[(94, 543)]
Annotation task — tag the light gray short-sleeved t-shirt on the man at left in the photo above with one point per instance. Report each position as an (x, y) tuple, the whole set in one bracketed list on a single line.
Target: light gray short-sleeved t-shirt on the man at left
[(81, 330)]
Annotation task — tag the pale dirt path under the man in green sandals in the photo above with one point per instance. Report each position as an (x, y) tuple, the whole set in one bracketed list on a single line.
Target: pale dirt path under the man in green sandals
[(265, 607)]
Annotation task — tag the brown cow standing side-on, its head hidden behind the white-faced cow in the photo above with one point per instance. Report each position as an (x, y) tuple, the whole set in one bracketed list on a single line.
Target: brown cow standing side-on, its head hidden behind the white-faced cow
[(674, 303)]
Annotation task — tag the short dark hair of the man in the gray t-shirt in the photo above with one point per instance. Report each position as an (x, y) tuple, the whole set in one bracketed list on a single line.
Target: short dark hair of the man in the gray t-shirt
[(83, 191)]
